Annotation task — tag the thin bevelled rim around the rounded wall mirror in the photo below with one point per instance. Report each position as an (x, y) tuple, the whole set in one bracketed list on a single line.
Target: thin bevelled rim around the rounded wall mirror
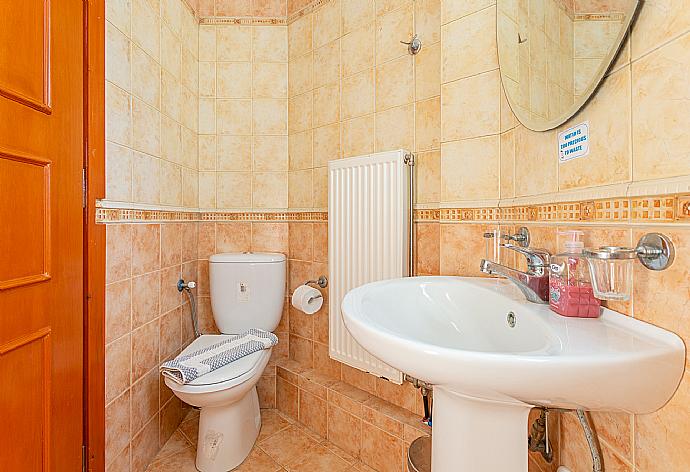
[(606, 65)]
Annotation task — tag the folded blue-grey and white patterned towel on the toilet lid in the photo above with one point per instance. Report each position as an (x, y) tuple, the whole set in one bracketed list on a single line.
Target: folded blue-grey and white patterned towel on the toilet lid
[(185, 369)]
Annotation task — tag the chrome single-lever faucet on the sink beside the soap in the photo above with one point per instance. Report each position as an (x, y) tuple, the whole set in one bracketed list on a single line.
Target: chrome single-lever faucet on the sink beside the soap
[(534, 283)]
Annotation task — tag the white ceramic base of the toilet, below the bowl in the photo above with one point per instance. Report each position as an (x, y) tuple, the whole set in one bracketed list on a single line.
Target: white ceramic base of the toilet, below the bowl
[(227, 434)]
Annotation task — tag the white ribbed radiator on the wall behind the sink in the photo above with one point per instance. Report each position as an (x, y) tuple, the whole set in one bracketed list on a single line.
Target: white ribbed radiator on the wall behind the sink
[(368, 240)]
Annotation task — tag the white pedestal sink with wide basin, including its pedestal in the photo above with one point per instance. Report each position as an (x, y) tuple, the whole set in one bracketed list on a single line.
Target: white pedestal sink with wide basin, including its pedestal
[(455, 333)]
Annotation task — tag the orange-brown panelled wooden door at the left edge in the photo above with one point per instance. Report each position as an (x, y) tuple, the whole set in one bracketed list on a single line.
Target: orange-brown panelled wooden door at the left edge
[(41, 235)]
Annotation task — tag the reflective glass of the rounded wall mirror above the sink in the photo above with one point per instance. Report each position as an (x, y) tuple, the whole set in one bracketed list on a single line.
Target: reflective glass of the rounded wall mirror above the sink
[(554, 53)]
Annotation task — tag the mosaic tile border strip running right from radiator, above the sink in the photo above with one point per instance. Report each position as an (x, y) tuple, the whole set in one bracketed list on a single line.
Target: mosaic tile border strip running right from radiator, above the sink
[(653, 209)]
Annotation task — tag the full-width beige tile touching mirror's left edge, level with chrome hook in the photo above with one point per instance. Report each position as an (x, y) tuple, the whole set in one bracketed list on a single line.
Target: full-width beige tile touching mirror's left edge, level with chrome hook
[(478, 33)]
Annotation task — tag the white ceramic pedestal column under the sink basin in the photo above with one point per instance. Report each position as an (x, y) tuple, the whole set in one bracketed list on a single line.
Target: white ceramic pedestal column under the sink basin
[(473, 435)]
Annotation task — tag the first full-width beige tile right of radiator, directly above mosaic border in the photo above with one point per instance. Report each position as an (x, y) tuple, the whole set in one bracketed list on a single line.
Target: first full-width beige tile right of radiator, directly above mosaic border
[(461, 177)]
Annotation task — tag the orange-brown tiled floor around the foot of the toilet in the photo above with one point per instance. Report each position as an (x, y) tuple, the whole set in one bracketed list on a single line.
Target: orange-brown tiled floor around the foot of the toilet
[(283, 445)]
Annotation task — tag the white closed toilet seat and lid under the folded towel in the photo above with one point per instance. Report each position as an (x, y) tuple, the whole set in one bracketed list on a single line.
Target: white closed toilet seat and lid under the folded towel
[(228, 376)]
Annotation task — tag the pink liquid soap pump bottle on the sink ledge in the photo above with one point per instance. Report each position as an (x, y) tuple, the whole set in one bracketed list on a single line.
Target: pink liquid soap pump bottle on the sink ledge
[(570, 286)]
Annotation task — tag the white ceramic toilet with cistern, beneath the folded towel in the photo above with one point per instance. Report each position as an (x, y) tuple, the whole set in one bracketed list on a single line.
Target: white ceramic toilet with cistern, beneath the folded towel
[(247, 291)]
